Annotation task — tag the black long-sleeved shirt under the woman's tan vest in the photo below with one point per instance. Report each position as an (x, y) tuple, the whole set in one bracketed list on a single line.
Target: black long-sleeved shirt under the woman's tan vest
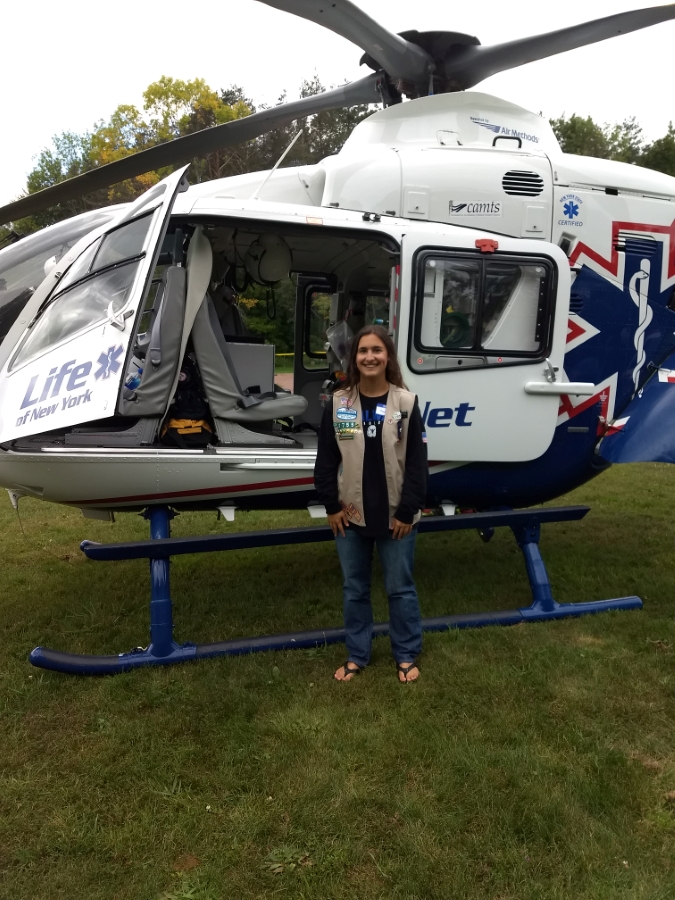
[(374, 486)]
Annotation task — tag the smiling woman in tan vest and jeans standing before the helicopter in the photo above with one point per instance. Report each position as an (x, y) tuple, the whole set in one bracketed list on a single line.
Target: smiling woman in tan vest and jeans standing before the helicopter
[(371, 474)]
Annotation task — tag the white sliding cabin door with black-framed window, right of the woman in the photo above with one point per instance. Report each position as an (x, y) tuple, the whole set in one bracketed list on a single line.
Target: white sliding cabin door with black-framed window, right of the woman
[(481, 340)]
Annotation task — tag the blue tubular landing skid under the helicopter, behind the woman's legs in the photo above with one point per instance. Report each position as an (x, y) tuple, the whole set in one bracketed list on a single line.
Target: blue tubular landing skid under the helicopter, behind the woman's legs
[(163, 650)]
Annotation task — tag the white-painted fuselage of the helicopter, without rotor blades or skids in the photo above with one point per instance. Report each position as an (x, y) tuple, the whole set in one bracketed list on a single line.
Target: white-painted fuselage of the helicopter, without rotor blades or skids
[(456, 180)]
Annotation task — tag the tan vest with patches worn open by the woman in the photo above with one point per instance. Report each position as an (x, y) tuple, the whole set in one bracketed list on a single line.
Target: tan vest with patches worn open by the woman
[(348, 426)]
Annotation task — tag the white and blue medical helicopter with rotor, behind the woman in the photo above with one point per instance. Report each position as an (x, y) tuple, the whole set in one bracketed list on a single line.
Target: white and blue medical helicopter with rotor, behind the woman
[(530, 294)]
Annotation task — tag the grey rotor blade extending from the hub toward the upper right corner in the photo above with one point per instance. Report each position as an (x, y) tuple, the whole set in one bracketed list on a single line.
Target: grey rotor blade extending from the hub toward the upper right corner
[(470, 65)]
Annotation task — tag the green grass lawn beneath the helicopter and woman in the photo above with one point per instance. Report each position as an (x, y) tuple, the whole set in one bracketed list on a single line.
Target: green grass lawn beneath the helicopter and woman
[(528, 763)]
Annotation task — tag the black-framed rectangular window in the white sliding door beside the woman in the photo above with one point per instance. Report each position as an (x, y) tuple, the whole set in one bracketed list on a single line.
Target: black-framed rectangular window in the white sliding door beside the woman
[(489, 309)]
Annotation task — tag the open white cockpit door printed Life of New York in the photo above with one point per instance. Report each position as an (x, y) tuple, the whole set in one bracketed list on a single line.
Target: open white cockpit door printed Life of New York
[(68, 366)]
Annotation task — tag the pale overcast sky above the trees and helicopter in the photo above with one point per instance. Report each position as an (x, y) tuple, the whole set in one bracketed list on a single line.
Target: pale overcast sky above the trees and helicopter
[(67, 65)]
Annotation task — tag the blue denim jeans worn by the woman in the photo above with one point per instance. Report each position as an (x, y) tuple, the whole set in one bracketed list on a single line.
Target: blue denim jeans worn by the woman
[(405, 624)]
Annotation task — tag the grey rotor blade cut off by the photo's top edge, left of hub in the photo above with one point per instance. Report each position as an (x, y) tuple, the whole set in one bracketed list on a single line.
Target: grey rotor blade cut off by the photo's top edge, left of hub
[(399, 58)]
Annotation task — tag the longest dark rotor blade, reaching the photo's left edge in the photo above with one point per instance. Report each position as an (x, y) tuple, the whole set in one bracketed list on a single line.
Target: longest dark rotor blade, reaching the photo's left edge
[(183, 149)]
